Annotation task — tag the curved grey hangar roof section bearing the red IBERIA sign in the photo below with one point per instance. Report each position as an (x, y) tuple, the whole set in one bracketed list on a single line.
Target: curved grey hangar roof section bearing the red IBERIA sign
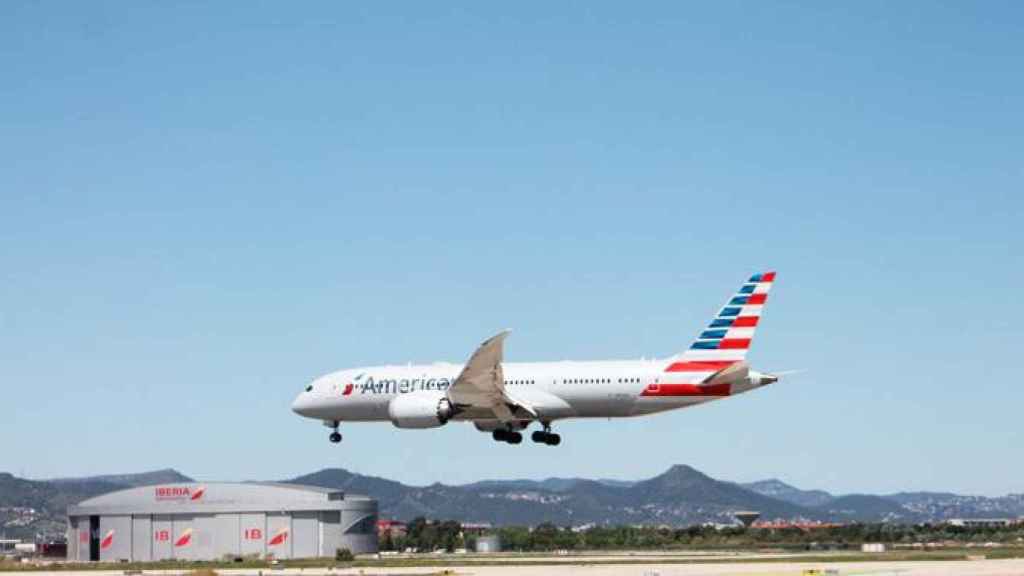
[(219, 498)]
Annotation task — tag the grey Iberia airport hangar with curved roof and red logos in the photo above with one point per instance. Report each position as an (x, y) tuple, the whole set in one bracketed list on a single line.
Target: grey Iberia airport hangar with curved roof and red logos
[(221, 520)]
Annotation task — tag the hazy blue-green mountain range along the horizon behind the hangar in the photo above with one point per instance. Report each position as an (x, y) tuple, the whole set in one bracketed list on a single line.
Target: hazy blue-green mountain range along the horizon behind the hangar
[(680, 497)]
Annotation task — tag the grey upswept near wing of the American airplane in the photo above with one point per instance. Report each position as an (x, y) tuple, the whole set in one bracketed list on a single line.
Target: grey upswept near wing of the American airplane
[(482, 384)]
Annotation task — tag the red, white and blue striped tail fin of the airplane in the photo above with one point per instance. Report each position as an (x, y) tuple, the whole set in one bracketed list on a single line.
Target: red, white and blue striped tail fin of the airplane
[(729, 337)]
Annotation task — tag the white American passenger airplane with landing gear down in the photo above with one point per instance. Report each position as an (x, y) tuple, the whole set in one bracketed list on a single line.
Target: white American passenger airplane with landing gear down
[(504, 399)]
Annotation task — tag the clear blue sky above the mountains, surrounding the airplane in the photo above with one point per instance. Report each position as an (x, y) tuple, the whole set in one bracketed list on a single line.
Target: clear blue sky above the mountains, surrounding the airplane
[(204, 208)]
